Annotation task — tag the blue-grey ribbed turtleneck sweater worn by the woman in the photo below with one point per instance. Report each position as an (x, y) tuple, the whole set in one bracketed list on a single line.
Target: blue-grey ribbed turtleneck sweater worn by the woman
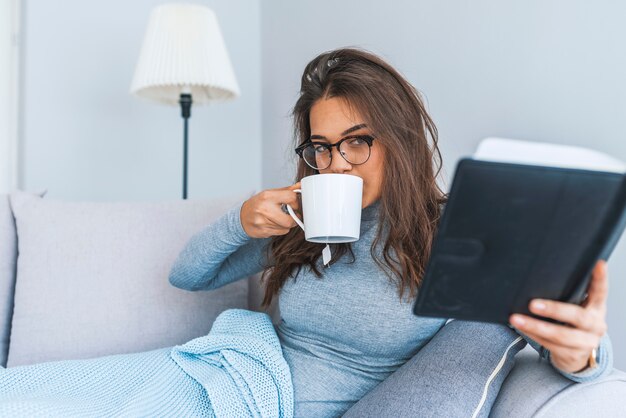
[(341, 334)]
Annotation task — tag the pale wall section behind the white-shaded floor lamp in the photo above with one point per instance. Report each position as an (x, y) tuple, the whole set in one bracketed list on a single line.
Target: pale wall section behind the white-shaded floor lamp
[(84, 135)]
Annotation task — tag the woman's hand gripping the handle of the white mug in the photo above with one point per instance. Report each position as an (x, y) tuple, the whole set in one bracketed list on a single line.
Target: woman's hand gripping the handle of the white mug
[(262, 215)]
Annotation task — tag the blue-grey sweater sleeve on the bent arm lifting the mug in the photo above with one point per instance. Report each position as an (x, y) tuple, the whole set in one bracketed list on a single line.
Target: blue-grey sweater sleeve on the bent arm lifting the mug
[(219, 254)]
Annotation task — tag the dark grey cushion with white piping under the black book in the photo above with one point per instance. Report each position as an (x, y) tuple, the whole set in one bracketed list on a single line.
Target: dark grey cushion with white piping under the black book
[(457, 374)]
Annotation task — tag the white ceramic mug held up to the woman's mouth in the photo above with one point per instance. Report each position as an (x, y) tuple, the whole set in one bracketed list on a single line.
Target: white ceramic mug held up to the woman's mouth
[(331, 207)]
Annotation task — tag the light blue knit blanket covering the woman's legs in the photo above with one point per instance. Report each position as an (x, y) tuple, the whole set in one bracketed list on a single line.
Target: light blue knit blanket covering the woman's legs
[(237, 370)]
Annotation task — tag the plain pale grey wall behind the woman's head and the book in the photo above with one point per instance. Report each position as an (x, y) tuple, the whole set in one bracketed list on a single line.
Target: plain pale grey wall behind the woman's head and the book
[(539, 70)]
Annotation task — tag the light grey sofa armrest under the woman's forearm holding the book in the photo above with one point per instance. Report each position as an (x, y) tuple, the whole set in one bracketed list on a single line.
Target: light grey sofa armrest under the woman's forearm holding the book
[(534, 388)]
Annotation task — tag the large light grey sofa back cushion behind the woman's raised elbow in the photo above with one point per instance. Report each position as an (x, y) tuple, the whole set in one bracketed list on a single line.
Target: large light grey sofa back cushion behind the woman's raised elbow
[(92, 278)]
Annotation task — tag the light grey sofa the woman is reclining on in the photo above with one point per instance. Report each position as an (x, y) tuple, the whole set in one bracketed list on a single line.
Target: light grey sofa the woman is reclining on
[(87, 279)]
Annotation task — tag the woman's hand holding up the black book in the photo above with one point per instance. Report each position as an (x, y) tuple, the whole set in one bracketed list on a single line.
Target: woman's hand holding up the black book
[(570, 345)]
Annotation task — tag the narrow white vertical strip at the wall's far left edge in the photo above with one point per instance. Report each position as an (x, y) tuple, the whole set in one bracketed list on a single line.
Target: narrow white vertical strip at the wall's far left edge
[(9, 60)]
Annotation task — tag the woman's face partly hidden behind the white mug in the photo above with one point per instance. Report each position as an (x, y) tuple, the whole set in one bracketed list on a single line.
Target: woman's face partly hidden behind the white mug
[(331, 120)]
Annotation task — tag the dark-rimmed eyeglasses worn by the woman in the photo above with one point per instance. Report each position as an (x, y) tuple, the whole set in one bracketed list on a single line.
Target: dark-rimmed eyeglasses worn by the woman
[(355, 149)]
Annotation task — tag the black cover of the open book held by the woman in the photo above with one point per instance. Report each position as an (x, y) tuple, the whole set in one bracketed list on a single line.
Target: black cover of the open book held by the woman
[(513, 232)]
